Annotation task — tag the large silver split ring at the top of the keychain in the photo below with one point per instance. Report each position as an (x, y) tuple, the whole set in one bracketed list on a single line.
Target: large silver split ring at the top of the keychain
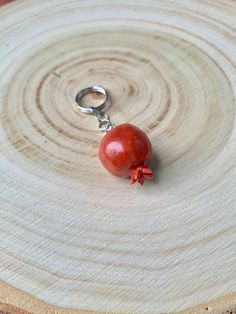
[(92, 109)]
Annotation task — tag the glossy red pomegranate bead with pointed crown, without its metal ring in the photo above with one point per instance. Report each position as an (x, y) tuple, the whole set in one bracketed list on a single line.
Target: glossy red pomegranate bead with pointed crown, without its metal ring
[(124, 149)]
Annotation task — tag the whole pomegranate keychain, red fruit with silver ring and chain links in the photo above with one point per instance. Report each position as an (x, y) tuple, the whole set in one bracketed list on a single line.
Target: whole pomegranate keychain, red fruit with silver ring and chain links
[(125, 150)]
